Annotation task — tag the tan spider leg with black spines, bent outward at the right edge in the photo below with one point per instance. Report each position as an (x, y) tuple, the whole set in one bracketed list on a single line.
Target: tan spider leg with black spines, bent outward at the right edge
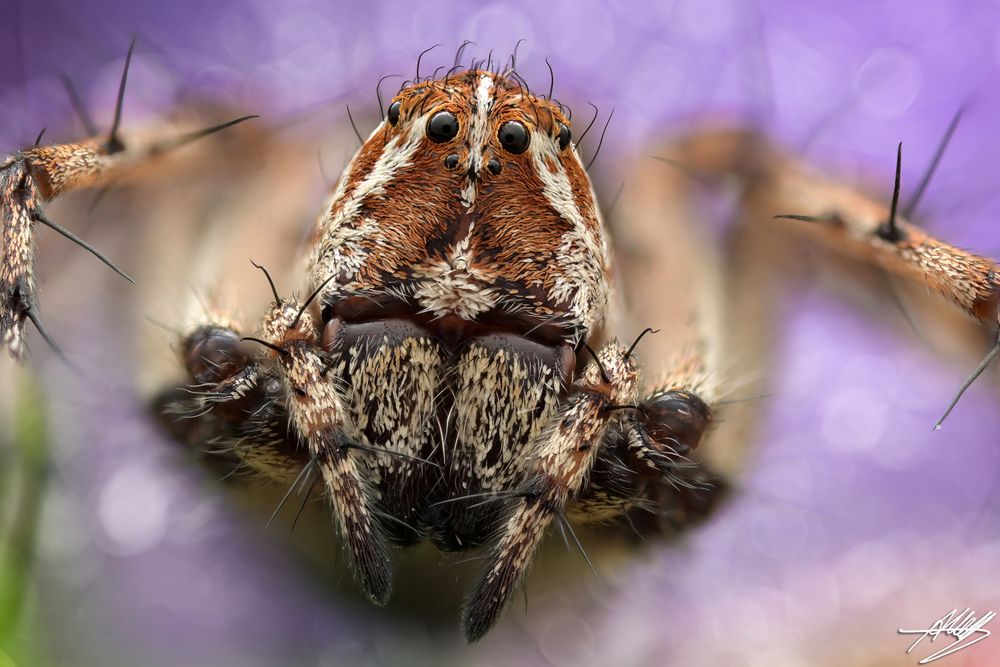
[(793, 199)]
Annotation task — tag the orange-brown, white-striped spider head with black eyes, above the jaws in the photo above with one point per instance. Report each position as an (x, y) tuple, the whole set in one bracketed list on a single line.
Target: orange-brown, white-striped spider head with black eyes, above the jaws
[(469, 204)]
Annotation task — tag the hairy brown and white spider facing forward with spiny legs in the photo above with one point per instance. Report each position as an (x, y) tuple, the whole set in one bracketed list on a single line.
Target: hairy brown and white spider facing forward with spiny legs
[(464, 367)]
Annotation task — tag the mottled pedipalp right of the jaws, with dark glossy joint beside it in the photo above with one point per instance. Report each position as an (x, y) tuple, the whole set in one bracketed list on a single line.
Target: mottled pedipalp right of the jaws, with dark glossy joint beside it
[(604, 454)]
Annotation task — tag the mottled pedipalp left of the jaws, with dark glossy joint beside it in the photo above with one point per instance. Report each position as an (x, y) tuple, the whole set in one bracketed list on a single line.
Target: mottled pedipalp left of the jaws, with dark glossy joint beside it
[(279, 413)]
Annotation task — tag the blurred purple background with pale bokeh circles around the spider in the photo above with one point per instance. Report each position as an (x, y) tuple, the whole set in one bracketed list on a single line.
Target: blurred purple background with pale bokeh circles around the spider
[(854, 519)]
